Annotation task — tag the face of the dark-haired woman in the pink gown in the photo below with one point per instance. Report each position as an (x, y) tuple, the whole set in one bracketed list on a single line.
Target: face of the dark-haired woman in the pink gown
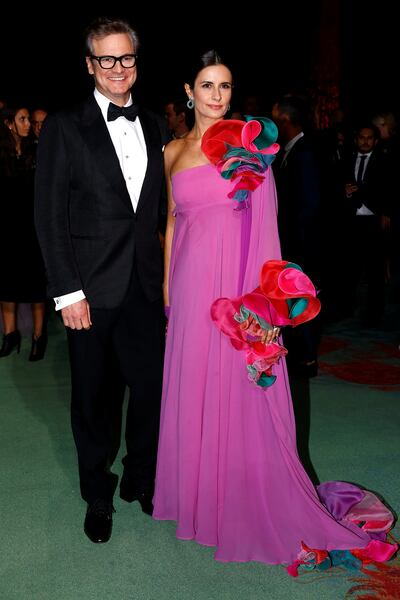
[(212, 91)]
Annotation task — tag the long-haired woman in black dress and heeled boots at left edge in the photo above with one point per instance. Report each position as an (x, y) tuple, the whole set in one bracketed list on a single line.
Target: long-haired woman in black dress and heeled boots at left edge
[(22, 276)]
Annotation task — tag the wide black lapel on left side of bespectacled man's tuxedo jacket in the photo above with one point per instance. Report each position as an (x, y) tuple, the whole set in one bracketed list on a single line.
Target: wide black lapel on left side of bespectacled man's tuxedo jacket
[(95, 133)]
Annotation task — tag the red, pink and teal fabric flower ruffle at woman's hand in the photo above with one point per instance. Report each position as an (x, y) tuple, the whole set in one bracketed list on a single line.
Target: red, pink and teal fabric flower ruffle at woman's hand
[(286, 296)]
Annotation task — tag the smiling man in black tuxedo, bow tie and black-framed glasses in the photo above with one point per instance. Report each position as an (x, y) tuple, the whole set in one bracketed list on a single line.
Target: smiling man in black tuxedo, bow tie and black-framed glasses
[(99, 188)]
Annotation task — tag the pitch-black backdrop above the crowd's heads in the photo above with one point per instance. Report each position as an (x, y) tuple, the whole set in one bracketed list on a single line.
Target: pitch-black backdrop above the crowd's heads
[(271, 46)]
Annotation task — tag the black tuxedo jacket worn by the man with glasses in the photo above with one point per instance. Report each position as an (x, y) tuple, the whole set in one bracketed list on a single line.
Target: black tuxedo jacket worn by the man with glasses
[(89, 234)]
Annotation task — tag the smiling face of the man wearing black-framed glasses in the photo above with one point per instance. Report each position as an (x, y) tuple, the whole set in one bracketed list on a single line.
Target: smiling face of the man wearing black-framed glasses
[(113, 83)]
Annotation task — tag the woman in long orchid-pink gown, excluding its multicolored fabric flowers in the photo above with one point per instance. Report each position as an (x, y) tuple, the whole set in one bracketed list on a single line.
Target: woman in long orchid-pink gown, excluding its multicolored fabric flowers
[(228, 470)]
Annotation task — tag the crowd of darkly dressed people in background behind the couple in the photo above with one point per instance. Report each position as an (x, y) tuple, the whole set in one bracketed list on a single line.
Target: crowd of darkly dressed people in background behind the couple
[(339, 224)]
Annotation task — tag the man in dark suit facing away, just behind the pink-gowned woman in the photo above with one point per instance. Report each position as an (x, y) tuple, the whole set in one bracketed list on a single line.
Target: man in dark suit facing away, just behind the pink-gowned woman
[(299, 201)]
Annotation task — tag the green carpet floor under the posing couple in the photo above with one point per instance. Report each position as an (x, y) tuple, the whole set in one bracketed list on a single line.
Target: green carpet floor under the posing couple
[(354, 436)]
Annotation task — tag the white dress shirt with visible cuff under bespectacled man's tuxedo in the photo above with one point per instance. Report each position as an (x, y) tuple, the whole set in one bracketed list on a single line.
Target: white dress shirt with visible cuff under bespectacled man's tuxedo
[(128, 140)]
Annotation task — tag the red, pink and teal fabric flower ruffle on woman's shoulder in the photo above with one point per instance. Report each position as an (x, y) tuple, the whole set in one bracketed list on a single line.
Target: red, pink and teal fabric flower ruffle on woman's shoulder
[(242, 151)]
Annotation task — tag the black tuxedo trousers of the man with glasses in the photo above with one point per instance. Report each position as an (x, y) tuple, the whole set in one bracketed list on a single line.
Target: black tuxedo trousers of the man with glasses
[(123, 346)]
